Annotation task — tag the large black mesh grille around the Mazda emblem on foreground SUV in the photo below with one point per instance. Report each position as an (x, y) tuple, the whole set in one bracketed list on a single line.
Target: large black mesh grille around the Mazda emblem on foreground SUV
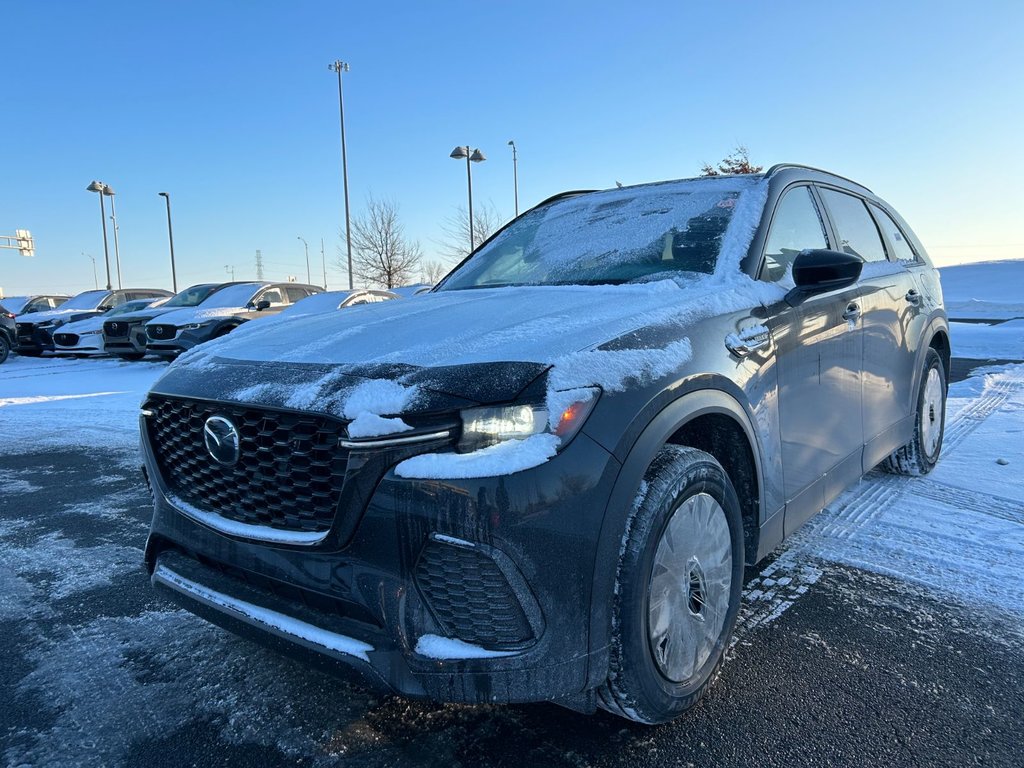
[(289, 476)]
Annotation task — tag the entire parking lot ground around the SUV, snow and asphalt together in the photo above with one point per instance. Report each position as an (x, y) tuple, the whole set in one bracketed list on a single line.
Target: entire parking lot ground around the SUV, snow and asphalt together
[(889, 630)]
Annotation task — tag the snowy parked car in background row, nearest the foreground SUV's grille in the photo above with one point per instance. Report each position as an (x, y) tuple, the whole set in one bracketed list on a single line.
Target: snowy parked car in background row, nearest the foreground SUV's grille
[(175, 333)]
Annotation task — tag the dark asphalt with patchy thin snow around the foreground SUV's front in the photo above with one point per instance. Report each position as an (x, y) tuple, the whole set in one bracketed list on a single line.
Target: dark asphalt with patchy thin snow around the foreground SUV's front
[(845, 668)]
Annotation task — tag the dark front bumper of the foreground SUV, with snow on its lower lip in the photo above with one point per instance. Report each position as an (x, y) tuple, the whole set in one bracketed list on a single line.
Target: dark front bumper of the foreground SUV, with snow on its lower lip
[(380, 600)]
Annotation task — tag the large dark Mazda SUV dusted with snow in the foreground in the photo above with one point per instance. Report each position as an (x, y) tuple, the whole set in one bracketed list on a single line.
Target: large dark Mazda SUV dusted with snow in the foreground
[(541, 482)]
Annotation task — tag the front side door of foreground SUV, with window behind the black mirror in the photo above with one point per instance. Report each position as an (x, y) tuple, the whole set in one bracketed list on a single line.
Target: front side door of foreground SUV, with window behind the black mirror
[(819, 346)]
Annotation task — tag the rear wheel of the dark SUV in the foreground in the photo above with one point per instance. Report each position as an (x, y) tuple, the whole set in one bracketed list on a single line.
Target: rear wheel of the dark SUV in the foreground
[(921, 454)]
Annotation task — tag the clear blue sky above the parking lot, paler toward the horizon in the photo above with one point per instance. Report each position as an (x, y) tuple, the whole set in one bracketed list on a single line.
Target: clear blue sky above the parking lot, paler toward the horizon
[(232, 109)]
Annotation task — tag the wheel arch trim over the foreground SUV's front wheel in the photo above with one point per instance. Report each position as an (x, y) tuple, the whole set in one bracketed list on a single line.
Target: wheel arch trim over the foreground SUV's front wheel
[(708, 418)]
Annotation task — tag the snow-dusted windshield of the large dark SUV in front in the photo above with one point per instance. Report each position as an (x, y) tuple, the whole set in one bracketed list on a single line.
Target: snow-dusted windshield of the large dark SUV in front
[(613, 237)]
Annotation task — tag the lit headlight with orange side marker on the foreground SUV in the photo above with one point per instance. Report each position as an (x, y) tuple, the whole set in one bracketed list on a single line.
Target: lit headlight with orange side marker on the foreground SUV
[(494, 424)]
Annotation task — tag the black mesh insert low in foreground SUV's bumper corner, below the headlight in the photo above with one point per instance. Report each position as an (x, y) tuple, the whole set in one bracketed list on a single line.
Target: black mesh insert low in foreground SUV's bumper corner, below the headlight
[(471, 598)]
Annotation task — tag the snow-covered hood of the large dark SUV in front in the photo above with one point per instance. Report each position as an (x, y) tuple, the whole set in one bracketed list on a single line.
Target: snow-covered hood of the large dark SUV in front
[(508, 335)]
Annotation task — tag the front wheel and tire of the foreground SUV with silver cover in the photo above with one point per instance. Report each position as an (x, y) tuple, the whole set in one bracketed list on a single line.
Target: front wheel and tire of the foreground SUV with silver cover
[(668, 638)]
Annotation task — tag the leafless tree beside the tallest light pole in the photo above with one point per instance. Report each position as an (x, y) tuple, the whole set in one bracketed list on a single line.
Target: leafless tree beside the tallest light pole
[(382, 255)]
